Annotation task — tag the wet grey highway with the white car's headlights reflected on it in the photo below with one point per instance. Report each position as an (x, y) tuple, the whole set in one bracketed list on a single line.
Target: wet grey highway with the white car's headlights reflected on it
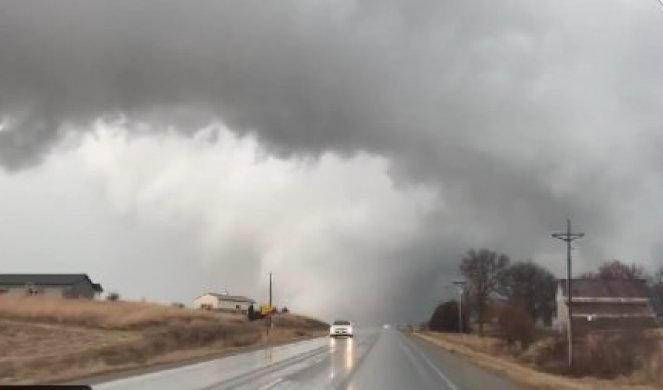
[(373, 359)]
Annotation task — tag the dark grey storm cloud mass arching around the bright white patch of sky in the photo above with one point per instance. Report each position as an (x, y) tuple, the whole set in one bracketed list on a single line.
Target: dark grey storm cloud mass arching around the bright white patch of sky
[(513, 116)]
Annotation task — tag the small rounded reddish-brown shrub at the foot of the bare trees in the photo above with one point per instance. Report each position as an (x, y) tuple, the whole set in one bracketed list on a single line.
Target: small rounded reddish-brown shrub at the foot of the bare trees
[(515, 325)]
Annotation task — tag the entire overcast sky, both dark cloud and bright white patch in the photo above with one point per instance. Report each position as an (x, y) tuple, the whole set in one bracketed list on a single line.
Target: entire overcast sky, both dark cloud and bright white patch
[(355, 148)]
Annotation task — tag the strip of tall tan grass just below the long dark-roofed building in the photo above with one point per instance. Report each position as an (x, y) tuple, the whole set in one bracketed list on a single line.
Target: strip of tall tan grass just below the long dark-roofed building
[(97, 314)]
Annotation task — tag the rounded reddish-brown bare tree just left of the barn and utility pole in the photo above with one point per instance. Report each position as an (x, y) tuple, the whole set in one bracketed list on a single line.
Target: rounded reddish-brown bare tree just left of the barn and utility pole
[(531, 287)]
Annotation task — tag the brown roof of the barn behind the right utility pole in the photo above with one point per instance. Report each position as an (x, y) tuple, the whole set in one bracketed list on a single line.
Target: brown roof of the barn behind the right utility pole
[(607, 288)]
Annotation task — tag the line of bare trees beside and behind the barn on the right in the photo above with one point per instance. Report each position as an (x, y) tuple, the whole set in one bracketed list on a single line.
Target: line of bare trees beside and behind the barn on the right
[(527, 288)]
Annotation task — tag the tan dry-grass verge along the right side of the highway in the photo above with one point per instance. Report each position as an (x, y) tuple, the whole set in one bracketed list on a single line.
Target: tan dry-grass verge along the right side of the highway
[(489, 353)]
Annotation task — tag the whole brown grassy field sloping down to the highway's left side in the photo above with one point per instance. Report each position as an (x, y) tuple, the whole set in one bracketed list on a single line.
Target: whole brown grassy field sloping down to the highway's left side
[(47, 340)]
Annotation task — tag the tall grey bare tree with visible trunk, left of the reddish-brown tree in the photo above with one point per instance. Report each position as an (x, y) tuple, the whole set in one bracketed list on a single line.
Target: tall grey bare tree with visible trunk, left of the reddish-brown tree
[(482, 271)]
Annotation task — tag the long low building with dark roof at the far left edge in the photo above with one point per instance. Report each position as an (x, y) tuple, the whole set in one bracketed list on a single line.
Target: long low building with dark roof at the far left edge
[(49, 285)]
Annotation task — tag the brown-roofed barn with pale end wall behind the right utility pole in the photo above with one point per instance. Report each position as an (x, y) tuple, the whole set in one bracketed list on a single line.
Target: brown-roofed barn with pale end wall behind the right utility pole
[(605, 303)]
